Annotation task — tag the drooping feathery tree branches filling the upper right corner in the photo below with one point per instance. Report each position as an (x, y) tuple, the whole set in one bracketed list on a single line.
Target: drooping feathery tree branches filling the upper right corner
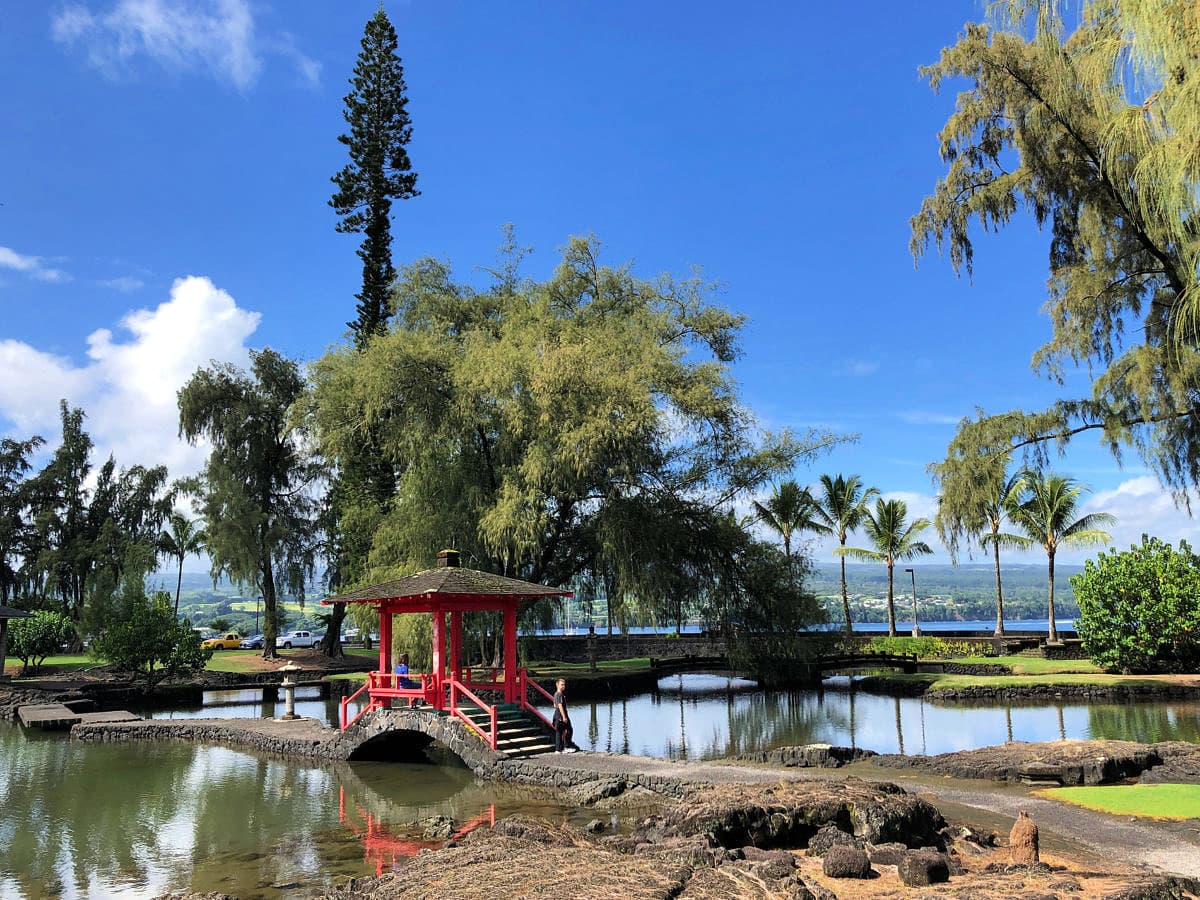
[(1093, 130)]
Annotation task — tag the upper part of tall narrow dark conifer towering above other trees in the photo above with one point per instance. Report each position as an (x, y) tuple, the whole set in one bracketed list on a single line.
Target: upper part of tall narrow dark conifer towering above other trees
[(380, 170)]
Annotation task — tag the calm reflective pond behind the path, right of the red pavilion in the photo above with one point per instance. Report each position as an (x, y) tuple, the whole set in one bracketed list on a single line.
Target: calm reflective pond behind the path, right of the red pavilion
[(709, 717)]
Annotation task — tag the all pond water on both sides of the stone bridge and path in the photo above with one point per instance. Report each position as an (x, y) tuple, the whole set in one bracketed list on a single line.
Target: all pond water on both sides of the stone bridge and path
[(140, 820)]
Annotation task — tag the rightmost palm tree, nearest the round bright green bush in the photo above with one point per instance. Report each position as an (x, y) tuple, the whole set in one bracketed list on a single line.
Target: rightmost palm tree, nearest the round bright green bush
[(1045, 512)]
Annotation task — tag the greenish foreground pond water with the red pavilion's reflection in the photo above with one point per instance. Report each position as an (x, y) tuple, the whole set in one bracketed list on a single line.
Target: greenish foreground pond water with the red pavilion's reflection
[(141, 820)]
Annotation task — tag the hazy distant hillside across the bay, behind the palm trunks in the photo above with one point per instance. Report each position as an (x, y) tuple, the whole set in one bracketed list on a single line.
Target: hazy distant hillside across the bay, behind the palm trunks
[(946, 592)]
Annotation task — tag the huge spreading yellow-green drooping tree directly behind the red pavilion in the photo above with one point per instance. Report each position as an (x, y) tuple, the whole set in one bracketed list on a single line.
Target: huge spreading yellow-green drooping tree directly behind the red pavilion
[(585, 424)]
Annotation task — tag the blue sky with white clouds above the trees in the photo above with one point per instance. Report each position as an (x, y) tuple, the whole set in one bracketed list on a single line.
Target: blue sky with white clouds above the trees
[(166, 171)]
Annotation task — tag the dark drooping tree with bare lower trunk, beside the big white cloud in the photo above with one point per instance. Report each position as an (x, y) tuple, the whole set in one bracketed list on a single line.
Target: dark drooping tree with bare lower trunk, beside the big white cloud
[(256, 489)]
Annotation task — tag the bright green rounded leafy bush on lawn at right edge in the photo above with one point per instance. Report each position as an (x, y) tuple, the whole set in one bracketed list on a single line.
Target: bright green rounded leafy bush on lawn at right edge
[(1139, 610)]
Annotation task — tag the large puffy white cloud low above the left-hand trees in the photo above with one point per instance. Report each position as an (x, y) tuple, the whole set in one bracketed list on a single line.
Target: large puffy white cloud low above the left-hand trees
[(128, 387)]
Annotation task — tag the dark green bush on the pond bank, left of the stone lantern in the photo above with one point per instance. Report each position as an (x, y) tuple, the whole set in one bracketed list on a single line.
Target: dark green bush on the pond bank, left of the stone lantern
[(151, 643)]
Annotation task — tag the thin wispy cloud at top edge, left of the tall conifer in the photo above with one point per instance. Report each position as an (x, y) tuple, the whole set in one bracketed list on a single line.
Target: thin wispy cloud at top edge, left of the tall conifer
[(218, 37)]
